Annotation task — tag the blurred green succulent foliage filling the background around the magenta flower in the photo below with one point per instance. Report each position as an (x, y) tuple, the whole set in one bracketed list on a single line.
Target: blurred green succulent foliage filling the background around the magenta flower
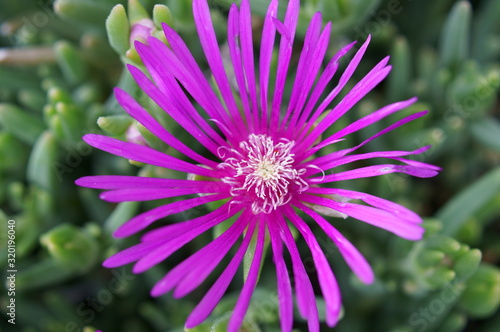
[(59, 61)]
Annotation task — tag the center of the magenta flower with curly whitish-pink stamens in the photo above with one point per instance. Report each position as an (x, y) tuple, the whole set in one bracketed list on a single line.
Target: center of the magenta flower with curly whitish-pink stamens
[(263, 174)]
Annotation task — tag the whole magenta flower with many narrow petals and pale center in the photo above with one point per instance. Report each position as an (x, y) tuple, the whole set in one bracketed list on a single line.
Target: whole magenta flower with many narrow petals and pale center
[(260, 162)]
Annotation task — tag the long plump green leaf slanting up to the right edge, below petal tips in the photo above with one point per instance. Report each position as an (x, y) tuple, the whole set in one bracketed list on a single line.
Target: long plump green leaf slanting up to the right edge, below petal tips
[(461, 207)]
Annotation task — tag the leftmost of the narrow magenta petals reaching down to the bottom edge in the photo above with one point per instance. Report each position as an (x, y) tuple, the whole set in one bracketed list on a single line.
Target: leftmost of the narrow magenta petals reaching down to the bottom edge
[(215, 293)]
